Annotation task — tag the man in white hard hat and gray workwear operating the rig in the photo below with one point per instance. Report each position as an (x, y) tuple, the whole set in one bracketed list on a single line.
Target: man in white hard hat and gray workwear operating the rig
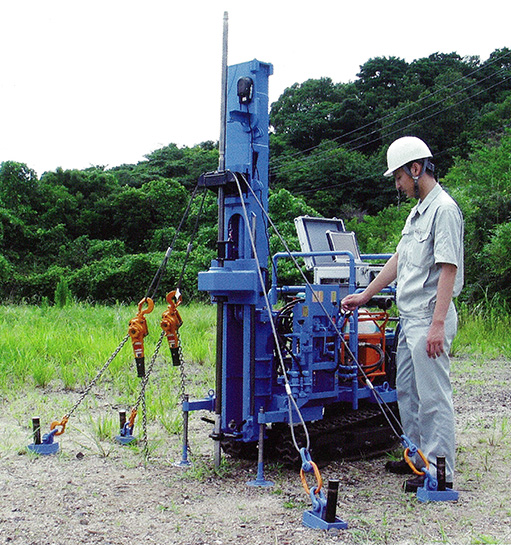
[(428, 265)]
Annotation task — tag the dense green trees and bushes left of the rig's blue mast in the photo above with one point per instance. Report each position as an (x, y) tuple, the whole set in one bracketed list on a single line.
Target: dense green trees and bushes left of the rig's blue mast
[(106, 237)]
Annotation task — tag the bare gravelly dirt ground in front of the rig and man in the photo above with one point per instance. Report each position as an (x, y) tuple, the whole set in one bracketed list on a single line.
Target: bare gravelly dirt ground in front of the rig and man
[(96, 492)]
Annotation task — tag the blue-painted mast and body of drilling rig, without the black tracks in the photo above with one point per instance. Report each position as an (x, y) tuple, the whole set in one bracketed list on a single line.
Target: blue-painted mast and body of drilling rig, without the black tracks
[(251, 386)]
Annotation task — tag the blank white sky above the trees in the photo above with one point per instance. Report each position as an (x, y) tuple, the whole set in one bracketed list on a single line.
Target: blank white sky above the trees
[(105, 82)]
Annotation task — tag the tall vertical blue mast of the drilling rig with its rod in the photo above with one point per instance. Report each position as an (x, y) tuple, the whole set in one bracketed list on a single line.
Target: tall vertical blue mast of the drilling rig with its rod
[(244, 354)]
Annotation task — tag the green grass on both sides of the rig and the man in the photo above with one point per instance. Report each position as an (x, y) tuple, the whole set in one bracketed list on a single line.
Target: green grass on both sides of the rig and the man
[(51, 347)]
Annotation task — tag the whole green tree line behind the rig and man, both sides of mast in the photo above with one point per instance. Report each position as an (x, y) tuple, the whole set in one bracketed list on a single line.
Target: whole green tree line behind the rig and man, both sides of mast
[(104, 232)]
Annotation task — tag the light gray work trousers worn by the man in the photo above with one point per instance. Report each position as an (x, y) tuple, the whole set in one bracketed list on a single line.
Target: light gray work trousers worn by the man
[(425, 393)]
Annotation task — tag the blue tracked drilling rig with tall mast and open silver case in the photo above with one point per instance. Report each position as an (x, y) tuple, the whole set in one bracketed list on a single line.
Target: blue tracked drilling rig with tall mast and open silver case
[(287, 355)]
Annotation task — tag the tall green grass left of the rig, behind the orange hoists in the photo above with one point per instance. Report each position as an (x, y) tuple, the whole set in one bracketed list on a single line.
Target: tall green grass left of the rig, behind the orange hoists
[(66, 347)]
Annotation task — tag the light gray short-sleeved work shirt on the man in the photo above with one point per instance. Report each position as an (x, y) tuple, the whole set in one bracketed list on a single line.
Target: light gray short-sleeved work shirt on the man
[(432, 235)]
